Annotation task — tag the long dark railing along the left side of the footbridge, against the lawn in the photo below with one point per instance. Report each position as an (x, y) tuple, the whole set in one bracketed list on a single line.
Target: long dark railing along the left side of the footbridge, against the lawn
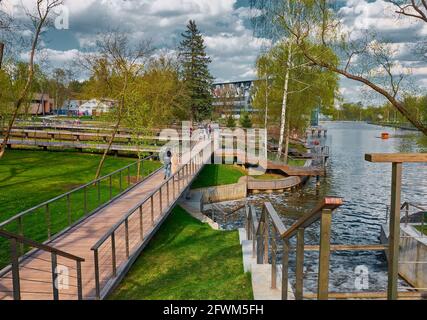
[(49, 219)]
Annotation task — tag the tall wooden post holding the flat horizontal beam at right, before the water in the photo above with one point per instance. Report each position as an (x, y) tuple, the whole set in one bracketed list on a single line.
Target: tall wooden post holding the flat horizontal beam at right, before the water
[(394, 239)]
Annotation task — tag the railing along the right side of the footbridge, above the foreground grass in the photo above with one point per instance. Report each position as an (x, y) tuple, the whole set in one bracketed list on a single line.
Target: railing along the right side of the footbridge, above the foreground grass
[(116, 250)]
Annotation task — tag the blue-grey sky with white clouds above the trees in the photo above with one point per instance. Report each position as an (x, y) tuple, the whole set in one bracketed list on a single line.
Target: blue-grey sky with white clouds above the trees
[(227, 30)]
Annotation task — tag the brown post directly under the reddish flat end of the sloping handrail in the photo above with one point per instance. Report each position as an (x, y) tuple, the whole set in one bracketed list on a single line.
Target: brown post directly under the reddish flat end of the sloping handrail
[(324, 255)]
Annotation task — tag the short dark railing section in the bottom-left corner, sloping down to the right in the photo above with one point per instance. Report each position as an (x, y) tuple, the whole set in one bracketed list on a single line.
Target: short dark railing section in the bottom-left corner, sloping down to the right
[(47, 264)]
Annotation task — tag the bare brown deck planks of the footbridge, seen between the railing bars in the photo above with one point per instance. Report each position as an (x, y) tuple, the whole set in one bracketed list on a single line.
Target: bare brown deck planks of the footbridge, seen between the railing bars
[(80, 239)]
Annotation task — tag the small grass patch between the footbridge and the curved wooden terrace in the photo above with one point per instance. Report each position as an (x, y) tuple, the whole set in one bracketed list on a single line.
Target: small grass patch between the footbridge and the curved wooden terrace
[(217, 175)]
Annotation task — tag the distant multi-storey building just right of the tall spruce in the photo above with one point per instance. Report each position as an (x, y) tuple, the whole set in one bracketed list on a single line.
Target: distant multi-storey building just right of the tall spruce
[(233, 97)]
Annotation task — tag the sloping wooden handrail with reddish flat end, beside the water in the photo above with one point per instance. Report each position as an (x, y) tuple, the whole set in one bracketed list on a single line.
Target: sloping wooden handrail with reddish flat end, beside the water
[(329, 203)]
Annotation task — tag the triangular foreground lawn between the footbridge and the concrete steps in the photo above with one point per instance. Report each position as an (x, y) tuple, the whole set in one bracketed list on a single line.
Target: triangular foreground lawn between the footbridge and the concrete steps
[(187, 260)]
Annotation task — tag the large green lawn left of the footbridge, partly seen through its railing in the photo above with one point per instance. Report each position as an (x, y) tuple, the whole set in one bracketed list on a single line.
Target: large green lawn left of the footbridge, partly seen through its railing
[(28, 178)]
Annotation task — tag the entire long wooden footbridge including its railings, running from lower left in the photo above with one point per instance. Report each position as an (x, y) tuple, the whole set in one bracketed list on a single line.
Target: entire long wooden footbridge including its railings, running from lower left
[(88, 259)]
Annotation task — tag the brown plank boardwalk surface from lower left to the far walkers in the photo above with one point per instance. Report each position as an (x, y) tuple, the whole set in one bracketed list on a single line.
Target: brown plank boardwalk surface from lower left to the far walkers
[(129, 238)]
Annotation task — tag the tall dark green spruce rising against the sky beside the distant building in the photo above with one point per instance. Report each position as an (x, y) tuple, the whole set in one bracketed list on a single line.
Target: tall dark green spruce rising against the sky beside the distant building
[(195, 72)]
